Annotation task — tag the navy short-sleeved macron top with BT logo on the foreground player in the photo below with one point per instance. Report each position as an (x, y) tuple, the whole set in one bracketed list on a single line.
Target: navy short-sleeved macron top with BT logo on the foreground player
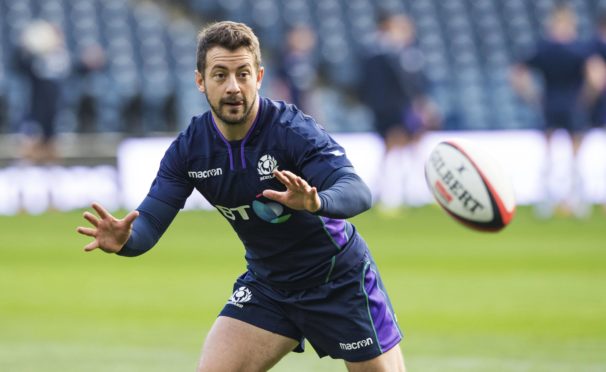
[(286, 248)]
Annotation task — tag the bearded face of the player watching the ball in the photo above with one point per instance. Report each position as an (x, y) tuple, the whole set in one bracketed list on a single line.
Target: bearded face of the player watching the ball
[(230, 83)]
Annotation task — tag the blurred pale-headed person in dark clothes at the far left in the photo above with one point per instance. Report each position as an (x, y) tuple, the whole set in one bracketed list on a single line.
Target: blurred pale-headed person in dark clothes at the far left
[(44, 61)]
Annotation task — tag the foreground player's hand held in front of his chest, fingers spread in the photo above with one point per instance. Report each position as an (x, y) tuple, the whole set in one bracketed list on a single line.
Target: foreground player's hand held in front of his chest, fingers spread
[(299, 195)]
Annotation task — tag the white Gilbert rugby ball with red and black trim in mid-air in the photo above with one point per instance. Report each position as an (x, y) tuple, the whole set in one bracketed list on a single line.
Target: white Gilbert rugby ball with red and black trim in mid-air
[(470, 185)]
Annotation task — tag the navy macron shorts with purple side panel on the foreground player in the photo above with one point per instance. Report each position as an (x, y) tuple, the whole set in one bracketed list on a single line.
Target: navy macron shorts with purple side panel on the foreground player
[(349, 318)]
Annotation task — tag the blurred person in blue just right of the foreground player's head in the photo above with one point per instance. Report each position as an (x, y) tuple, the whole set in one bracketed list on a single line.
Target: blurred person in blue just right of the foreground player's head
[(297, 70)]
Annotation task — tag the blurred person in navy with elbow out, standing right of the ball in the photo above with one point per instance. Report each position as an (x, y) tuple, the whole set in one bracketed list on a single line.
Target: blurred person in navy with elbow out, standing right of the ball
[(562, 61)]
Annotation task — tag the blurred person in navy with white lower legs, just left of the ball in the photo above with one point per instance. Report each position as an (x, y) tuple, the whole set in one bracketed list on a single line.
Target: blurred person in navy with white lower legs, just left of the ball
[(395, 88)]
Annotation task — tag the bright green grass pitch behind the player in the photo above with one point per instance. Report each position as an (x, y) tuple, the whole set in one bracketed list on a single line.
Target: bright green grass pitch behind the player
[(530, 298)]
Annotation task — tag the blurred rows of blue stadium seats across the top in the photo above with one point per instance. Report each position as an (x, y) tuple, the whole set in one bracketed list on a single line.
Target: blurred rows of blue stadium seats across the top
[(147, 85)]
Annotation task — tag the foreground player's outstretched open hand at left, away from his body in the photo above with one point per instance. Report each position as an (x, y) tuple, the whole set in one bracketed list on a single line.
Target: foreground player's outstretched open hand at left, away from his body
[(110, 233)]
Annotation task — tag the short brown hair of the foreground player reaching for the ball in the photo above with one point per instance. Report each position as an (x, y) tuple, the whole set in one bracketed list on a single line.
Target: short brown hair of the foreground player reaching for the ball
[(228, 35)]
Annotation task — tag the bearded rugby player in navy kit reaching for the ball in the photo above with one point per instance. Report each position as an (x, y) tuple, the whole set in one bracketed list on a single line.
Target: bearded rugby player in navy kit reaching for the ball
[(285, 187)]
